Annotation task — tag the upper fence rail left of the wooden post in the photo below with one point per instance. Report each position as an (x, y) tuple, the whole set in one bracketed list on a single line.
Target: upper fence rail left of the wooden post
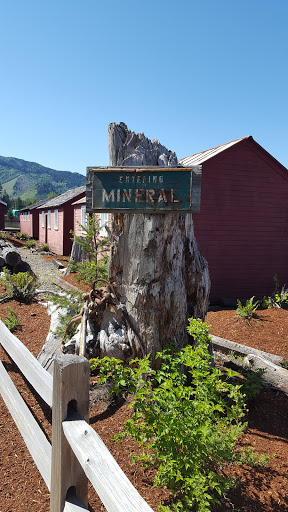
[(39, 378)]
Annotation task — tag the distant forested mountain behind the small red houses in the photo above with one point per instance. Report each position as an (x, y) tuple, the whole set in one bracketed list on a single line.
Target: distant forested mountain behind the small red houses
[(28, 179)]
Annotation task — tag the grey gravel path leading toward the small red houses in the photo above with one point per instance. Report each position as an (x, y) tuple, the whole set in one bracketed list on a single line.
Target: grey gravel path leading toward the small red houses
[(44, 270)]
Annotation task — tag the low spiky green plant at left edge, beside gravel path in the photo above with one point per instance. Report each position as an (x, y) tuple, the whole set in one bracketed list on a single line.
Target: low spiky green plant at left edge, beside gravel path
[(19, 286)]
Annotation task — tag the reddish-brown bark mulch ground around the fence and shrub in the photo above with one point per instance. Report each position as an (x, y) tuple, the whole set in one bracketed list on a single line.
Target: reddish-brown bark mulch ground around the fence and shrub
[(258, 490)]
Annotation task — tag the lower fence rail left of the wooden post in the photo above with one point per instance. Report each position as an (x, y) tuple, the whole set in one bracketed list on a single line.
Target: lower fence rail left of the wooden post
[(36, 442)]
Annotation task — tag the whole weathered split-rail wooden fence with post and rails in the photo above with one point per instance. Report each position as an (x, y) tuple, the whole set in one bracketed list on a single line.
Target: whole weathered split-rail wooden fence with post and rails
[(77, 452)]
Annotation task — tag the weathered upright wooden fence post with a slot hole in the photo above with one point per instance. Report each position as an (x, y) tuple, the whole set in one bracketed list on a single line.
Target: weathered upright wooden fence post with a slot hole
[(70, 390)]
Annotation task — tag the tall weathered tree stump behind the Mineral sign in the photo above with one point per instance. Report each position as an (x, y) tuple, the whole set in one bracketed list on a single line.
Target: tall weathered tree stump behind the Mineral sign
[(160, 274)]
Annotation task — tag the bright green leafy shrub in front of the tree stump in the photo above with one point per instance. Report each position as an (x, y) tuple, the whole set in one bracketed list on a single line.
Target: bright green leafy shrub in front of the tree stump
[(186, 417)]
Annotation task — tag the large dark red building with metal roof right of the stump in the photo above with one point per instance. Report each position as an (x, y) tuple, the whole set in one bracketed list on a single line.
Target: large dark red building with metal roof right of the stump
[(242, 225)]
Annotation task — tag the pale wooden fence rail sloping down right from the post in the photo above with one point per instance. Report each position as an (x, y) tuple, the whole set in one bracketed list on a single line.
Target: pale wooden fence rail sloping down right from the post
[(112, 485)]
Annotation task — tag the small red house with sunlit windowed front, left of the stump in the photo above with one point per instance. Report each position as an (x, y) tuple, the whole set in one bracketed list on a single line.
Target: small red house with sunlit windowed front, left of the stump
[(56, 220)]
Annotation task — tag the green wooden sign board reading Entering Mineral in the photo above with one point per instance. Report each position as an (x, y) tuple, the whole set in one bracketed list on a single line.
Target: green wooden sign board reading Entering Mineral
[(143, 189)]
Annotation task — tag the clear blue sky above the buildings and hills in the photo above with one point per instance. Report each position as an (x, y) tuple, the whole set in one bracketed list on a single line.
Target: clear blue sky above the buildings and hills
[(192, 74)]
